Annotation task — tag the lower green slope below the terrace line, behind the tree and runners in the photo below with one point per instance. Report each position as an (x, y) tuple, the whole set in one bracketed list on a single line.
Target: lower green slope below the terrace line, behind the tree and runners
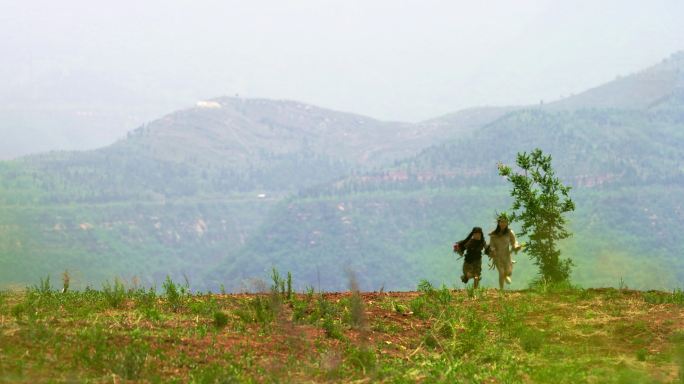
[(392, 238)]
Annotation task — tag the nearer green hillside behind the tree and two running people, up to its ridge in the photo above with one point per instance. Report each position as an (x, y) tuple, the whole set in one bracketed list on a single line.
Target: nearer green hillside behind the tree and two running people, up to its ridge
[(395, 226)]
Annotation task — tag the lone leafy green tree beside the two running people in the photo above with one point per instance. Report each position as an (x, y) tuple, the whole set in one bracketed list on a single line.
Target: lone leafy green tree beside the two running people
[(540, 202)]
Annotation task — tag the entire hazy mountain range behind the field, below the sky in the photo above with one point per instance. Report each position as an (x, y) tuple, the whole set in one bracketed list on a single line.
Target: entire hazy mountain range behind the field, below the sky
[(225, 191)]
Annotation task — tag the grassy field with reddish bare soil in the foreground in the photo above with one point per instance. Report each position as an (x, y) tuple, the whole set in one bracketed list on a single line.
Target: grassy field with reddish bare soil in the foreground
[(548, 335)]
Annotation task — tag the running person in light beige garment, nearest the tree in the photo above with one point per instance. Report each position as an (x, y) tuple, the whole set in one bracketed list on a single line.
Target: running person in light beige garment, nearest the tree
[(502, 242)]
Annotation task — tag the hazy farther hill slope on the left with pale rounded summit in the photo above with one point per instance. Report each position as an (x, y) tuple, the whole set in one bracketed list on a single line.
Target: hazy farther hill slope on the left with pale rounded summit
[(187, 191)]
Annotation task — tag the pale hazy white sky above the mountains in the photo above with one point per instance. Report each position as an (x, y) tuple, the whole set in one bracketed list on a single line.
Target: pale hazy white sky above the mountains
[(78, 74)]
